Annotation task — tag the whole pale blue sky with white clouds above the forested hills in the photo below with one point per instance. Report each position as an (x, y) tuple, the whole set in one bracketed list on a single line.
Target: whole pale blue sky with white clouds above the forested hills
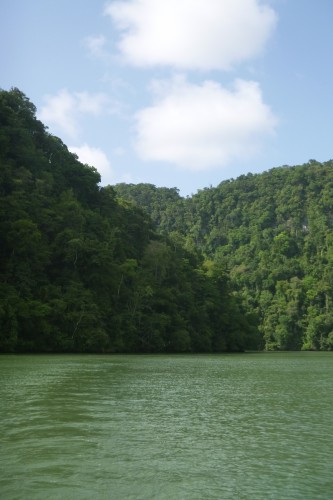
[(183, 93)]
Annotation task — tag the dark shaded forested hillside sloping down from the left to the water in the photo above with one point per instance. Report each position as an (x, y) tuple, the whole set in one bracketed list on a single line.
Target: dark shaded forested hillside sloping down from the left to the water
[(83, 270)]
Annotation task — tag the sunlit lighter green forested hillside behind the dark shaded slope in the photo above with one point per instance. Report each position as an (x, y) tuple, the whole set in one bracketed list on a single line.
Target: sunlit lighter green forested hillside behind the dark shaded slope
[(272, 233)]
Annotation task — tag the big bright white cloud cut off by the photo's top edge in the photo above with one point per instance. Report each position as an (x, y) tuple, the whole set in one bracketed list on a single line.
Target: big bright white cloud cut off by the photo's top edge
[(191, 34)]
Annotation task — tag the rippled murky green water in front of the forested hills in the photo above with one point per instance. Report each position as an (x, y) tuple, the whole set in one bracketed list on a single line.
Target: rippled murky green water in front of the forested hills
[(252, 426)]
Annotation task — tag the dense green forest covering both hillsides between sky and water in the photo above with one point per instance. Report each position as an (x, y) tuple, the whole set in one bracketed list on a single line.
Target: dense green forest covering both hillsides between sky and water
[(136, 268)]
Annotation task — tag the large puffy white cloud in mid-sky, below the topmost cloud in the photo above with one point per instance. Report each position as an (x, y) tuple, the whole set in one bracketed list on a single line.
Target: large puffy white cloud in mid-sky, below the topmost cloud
[(203, 126)]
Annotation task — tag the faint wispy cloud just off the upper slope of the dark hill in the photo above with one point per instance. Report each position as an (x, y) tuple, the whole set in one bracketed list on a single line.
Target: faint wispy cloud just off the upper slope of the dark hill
[(65, 109)]
